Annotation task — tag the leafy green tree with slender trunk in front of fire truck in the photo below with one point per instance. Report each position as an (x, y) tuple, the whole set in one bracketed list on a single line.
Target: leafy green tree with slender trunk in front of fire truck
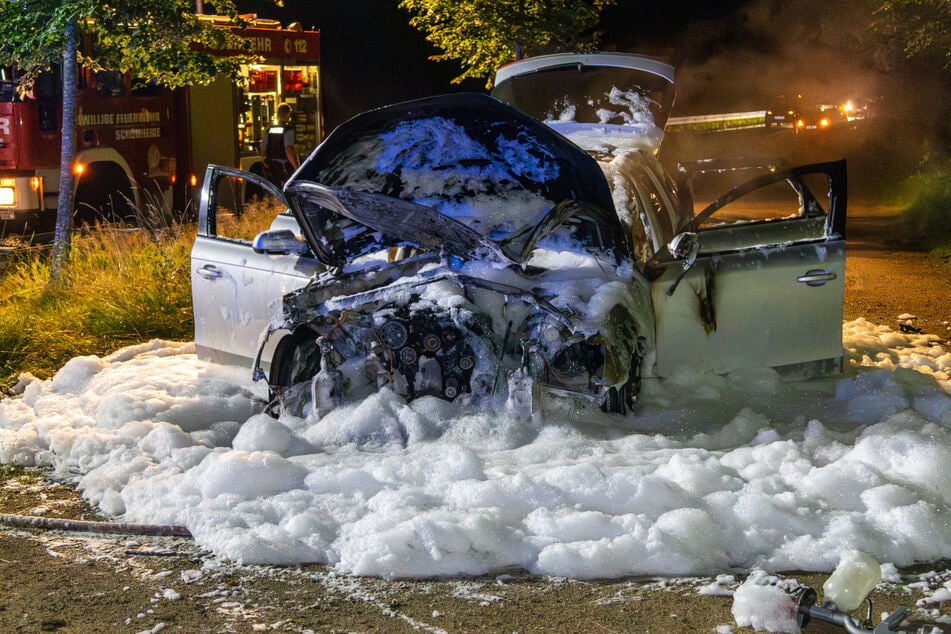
[(155, 40)]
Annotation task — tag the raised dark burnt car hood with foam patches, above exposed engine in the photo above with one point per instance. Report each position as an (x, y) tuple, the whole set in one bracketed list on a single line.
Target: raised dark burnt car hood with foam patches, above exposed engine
[(462, 172)]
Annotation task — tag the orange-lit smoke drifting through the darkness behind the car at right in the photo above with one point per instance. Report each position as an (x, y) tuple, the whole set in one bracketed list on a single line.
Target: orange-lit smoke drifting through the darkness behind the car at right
[(797, 55)]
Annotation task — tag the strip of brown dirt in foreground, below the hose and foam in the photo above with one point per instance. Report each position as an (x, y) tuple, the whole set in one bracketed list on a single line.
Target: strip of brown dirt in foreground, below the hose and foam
[(57, 582)]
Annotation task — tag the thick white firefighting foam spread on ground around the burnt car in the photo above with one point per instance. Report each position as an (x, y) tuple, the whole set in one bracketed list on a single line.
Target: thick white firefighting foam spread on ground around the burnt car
[(713, 474)]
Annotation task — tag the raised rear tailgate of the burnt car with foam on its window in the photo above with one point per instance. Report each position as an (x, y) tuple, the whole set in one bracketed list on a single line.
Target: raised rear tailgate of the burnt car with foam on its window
[(601, 101)]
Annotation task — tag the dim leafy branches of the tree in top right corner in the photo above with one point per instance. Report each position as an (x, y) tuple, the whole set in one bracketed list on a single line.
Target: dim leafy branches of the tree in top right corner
[(922, 27)]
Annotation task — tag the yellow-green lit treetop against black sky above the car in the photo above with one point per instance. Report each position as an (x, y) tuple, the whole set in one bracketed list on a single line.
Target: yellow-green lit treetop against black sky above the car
[(485, 34)]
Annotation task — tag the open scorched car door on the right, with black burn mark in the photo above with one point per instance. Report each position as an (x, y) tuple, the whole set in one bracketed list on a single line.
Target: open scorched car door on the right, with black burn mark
[(754, 283)]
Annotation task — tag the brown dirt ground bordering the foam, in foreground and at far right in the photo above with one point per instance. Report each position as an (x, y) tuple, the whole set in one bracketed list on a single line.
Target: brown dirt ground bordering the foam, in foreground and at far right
[(54, 581)]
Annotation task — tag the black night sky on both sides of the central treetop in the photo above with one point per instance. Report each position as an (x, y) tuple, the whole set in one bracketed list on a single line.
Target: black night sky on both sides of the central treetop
[(371, 56)]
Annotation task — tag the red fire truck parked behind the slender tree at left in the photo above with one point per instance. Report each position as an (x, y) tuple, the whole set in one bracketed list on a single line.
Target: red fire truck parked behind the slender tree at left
[(141, 144)]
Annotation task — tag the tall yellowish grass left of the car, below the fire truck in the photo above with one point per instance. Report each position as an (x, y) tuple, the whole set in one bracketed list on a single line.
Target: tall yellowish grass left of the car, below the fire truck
[(121, 286)]
